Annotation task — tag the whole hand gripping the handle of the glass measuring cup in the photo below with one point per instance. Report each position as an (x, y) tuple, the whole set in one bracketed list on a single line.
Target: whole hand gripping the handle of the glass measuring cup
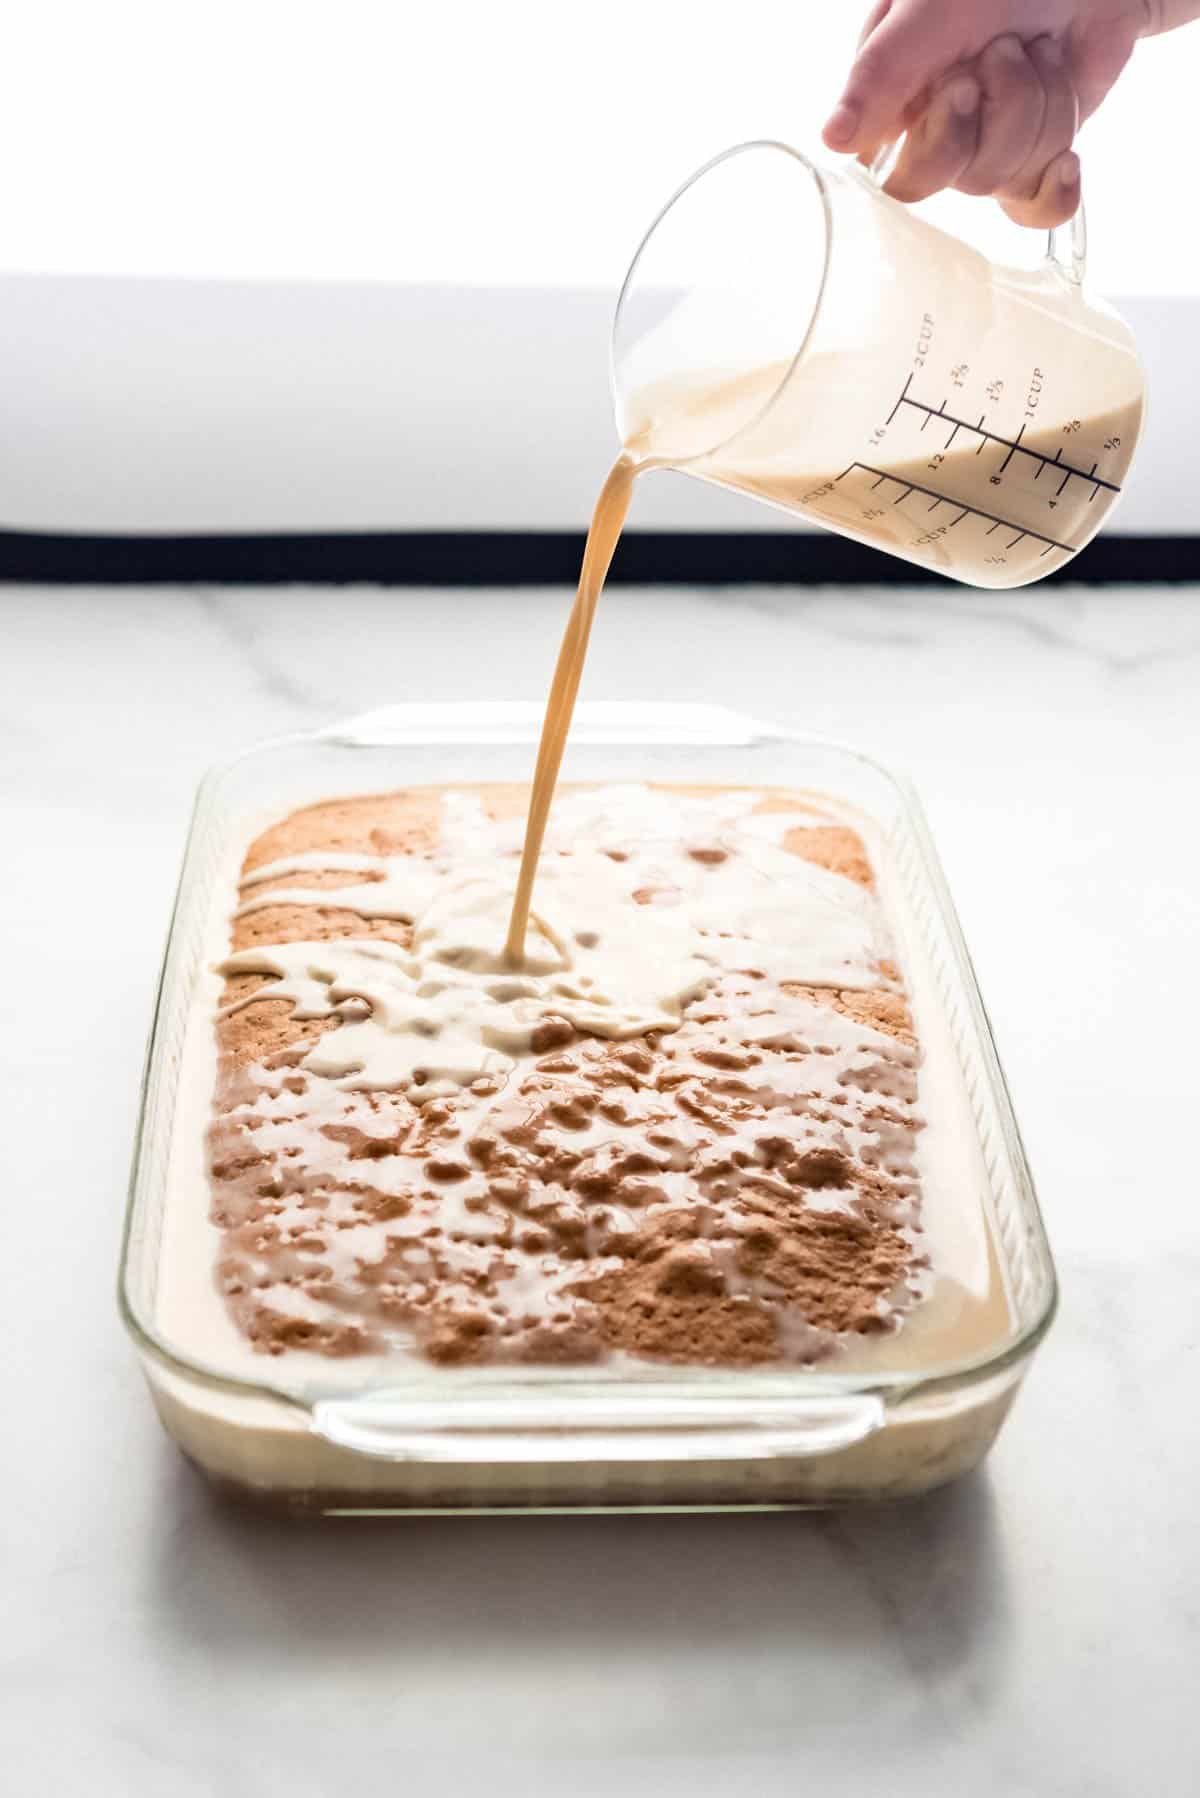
[(987, 94)]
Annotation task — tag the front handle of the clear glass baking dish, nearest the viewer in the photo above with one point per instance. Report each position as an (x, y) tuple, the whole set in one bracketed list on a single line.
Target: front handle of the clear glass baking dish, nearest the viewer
[(568, 1429)]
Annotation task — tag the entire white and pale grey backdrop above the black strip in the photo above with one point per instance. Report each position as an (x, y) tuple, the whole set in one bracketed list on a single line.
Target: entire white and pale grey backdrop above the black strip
[(287, 265)]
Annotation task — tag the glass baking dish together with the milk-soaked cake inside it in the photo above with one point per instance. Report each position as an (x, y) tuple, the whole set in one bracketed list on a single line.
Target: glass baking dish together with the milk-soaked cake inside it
[(717, 1200)]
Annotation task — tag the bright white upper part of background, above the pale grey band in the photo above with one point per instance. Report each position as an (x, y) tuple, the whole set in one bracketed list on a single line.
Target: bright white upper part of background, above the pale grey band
[(485, 141)]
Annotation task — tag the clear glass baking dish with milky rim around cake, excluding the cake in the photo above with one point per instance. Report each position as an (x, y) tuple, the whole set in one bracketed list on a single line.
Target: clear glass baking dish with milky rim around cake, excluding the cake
[(422, 1439)]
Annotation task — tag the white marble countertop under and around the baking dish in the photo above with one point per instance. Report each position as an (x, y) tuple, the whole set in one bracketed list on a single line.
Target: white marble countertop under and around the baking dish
[(1034, 1632)]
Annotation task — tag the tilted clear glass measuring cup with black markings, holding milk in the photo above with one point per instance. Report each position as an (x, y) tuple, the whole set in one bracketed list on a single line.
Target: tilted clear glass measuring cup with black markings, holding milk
[(793, 332)]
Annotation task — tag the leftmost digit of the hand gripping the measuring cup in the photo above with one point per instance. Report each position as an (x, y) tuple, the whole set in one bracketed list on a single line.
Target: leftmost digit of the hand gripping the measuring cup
[(906, 48)]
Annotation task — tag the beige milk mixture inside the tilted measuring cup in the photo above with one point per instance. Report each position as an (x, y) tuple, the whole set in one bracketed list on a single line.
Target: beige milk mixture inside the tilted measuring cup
[(958, 474)]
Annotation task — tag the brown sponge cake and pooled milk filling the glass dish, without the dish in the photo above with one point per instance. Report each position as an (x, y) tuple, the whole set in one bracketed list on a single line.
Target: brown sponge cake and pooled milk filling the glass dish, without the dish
[(703, 1125)]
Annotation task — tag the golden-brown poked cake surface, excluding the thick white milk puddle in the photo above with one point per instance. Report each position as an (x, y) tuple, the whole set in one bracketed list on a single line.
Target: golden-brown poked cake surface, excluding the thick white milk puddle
[(735, 1189)]
